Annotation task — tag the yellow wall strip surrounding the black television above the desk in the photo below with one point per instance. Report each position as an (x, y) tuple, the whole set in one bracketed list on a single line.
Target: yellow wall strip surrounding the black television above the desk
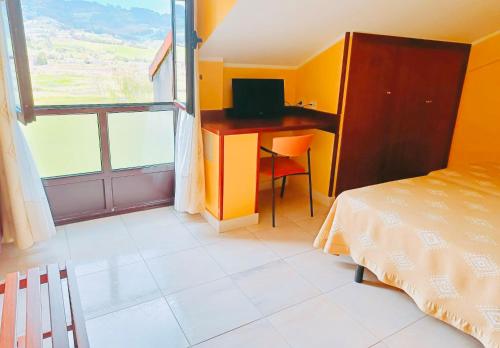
[(259, 73)]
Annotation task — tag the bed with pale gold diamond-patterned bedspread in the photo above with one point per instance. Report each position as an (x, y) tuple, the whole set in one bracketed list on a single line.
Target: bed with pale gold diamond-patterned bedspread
[(437, 237)]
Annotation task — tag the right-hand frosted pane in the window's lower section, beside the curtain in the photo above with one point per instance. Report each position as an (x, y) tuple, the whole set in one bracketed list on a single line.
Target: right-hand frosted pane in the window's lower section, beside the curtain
[(140, 139)]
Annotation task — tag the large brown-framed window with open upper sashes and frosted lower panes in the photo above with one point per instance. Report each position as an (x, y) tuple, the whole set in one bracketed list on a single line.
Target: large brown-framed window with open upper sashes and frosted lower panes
[(104, 81)]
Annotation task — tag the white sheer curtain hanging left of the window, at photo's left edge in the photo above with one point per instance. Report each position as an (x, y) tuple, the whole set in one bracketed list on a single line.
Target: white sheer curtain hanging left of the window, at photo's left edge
[(24, 209)]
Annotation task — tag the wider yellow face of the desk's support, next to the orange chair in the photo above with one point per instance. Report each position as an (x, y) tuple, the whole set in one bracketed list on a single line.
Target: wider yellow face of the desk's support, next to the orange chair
[(240, 174)]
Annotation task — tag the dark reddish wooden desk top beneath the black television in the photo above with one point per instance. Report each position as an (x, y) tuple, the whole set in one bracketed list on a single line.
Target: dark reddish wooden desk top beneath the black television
[(218, 122)]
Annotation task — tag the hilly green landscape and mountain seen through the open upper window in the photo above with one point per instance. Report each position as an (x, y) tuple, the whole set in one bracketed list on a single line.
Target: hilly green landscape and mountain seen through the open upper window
[(94, 51)]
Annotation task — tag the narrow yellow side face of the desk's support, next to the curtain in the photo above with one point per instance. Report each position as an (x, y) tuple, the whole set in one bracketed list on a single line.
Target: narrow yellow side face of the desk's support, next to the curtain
[(211, 161)]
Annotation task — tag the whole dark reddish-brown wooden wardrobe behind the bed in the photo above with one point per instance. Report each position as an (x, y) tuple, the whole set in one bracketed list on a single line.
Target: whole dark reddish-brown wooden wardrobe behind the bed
[(401, 103)]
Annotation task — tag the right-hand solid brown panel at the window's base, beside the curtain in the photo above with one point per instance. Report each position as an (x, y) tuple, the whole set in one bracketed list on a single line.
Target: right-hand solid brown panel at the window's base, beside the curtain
[(133, 190)]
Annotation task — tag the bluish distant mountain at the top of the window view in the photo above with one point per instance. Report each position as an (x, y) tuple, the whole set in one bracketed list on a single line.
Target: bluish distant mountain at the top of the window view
[(135, 24)]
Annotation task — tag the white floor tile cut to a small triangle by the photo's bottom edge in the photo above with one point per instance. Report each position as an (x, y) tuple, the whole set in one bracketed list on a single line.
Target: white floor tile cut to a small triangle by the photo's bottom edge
[(260, 334)]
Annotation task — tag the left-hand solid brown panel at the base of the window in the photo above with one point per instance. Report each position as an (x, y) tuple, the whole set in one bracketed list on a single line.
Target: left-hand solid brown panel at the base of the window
[(76, 198)]
